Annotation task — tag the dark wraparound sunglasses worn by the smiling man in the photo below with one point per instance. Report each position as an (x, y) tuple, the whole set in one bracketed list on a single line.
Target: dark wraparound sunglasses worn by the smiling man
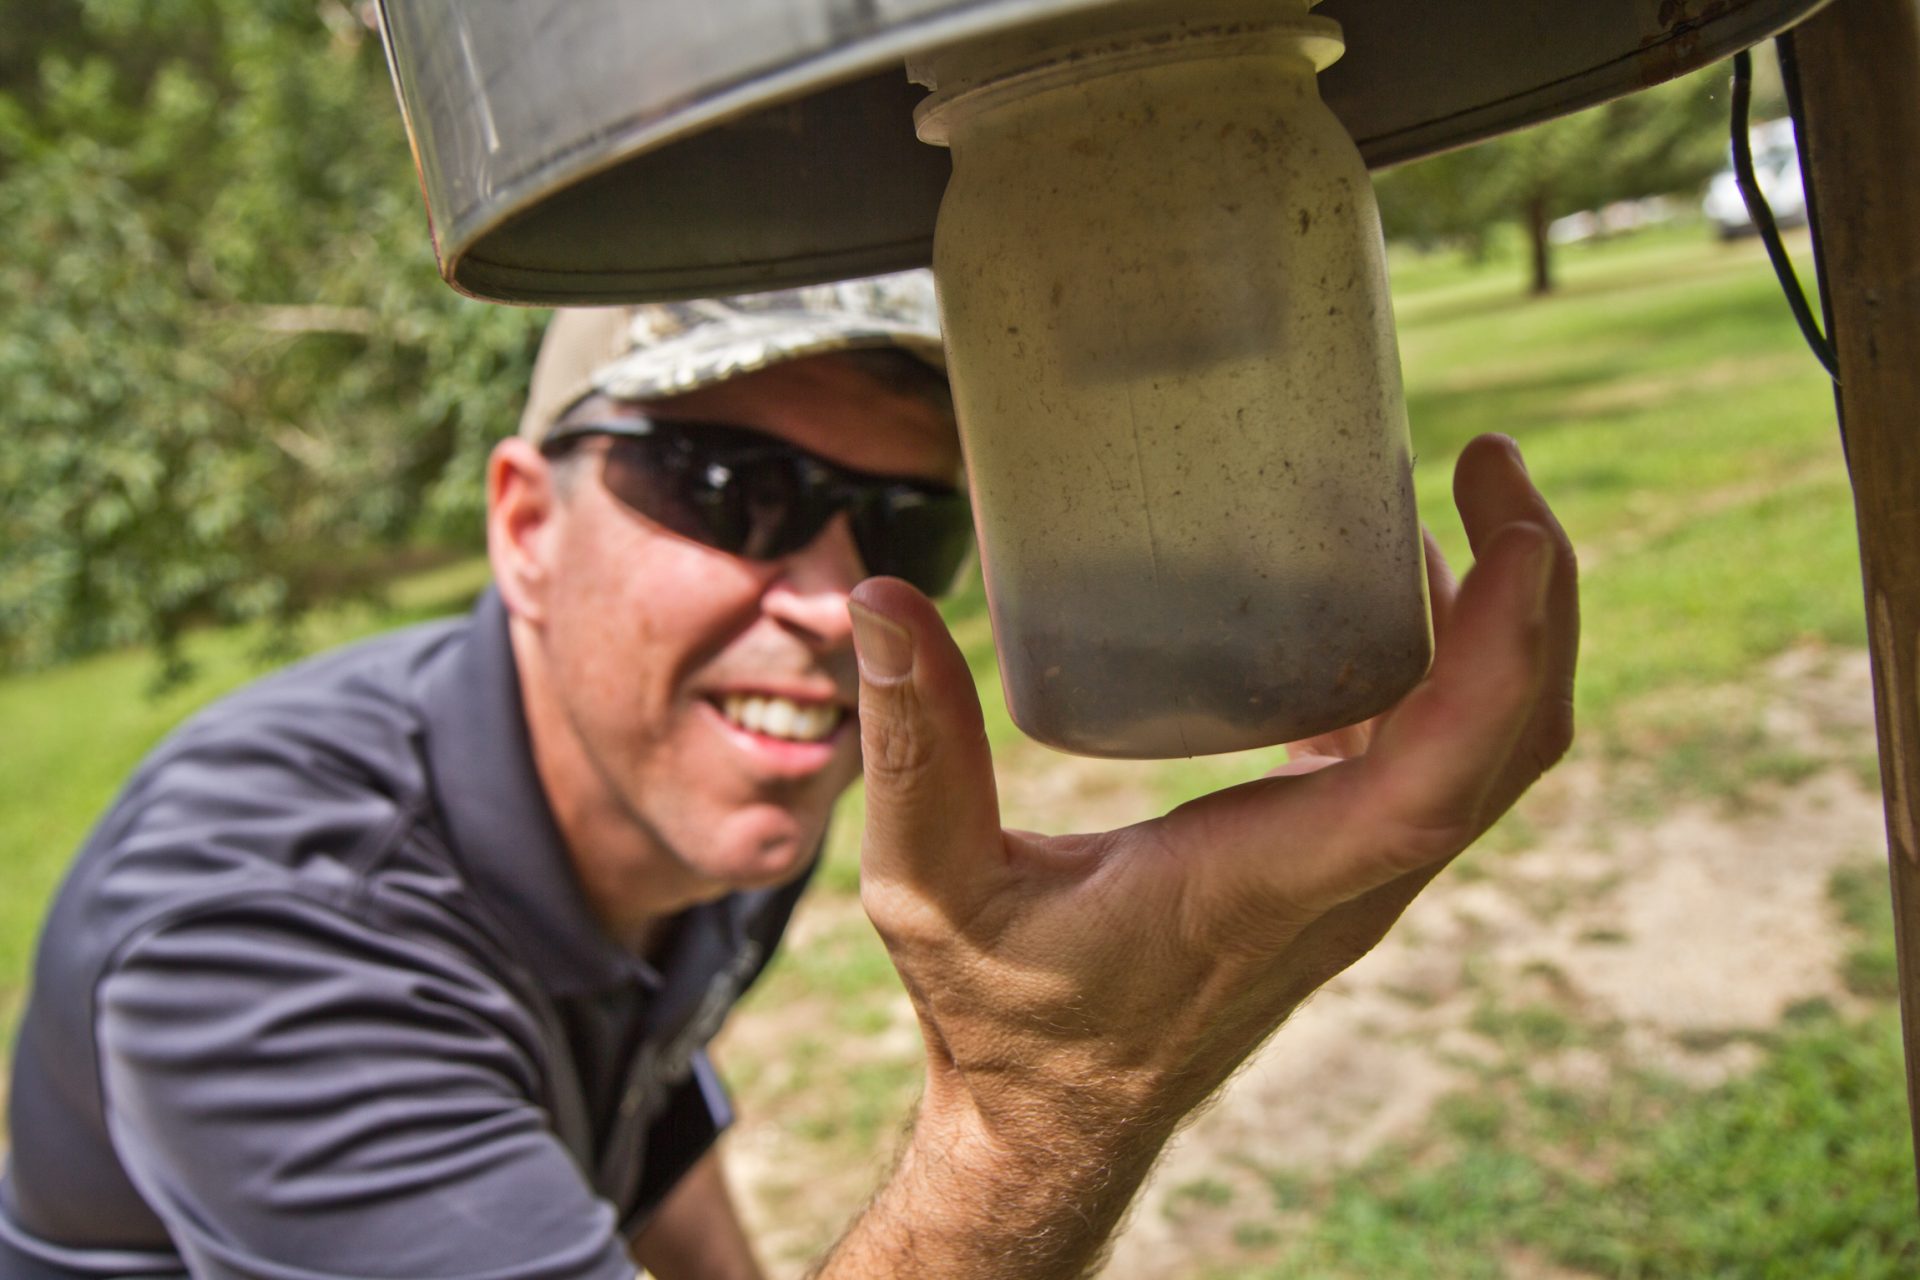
[(761, 498)]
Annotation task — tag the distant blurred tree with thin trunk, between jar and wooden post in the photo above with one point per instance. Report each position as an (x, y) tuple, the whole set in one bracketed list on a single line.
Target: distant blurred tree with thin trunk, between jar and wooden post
[(1652, 143)]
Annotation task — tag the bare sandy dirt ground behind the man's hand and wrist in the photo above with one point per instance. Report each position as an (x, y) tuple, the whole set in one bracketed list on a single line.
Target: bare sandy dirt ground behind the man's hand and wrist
[(1650, 939)]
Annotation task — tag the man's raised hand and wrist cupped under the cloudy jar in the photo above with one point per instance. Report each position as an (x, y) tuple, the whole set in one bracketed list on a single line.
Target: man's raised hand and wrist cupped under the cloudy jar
[(1084, 993)]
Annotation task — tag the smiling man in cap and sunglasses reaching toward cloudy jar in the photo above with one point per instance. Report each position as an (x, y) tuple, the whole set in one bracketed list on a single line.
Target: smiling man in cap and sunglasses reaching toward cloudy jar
[(402, 962)]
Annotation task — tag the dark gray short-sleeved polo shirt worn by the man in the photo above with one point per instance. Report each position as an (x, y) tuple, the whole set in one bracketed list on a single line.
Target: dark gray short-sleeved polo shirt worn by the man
[(322, 997)]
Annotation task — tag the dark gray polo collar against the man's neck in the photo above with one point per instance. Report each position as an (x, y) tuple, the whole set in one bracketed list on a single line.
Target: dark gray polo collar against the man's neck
[(498, 818)]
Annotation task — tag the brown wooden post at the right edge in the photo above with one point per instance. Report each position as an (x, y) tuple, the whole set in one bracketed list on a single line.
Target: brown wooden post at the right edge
[(1860, 74)]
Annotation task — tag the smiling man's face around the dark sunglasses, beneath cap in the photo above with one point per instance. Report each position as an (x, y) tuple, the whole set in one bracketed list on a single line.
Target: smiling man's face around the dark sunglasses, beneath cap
[(700, 709)]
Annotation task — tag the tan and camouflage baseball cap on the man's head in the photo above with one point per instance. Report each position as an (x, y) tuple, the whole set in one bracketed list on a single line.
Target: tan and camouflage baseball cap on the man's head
[(656, 350)]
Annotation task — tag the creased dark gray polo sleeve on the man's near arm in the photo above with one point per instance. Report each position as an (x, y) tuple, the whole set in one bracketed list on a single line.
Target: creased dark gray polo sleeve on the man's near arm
[(300, 1095)]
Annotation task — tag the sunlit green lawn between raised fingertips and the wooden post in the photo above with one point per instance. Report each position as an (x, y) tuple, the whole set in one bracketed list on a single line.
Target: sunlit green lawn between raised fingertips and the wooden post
[(1689, 444)]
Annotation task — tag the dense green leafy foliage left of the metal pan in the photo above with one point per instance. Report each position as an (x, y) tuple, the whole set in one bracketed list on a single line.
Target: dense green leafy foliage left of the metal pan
[(233, 379)]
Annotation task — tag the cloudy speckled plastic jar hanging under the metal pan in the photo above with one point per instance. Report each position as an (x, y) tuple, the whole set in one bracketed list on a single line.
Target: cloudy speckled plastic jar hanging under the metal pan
[(1172, 348)]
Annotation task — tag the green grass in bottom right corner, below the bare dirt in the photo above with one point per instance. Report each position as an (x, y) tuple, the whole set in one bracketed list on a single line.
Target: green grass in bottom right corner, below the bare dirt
[(1802, 1172)]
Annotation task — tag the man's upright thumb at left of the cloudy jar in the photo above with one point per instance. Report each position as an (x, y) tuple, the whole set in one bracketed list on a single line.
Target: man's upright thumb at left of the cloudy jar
[(930, 797)]
